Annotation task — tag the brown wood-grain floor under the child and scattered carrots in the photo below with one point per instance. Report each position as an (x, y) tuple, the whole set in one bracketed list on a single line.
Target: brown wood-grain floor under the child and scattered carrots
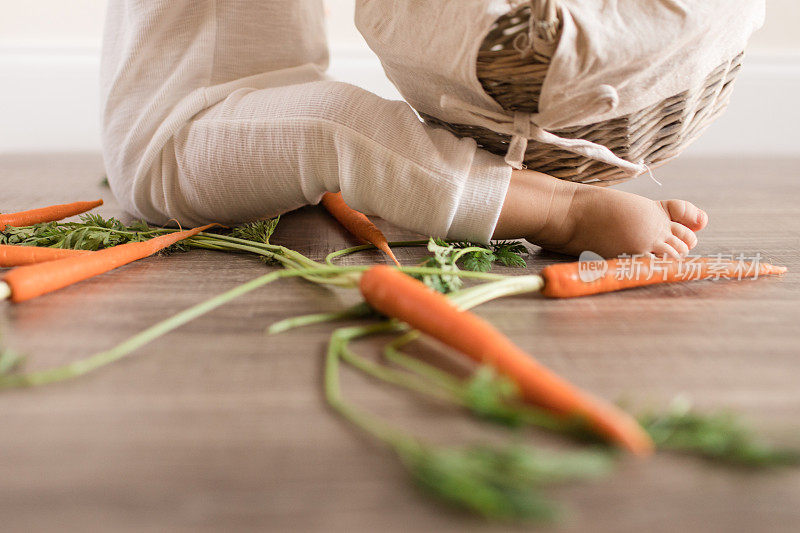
[(216, 427)]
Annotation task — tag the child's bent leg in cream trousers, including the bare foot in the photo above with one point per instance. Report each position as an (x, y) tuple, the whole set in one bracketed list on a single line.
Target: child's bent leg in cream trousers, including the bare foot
[(264, 152)]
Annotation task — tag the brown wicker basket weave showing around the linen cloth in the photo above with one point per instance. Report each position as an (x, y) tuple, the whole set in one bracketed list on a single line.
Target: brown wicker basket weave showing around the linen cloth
[(512, 67)]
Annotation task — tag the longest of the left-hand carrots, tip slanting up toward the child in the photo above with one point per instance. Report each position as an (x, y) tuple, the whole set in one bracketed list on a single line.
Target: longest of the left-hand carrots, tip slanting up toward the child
[(27, 282)]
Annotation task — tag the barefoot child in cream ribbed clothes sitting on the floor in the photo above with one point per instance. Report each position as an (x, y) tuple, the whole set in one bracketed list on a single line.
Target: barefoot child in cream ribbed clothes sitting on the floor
[(220, 110)]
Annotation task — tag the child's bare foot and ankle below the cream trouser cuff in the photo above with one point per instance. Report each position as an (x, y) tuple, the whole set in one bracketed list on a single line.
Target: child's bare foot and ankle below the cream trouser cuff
[(573, 218)]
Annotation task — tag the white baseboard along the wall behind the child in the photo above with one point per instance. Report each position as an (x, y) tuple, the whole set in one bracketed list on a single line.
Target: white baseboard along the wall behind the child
[(51, 102)]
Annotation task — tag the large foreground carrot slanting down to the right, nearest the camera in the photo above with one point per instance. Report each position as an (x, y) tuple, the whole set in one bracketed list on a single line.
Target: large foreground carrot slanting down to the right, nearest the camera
[(400, 296)]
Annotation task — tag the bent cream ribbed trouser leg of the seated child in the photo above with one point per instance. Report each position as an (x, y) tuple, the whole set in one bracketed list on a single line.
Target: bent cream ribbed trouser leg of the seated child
[(263, 152)]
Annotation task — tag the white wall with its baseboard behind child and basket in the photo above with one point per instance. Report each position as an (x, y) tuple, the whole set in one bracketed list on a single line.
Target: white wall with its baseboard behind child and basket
[(48, 78)]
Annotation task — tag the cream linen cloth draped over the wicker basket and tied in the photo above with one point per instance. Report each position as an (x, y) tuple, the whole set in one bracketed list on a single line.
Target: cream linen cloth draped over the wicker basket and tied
[(613, 58)]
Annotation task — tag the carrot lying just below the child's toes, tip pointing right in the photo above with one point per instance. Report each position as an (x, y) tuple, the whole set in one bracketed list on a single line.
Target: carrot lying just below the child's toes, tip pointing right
[(569, 280)]
